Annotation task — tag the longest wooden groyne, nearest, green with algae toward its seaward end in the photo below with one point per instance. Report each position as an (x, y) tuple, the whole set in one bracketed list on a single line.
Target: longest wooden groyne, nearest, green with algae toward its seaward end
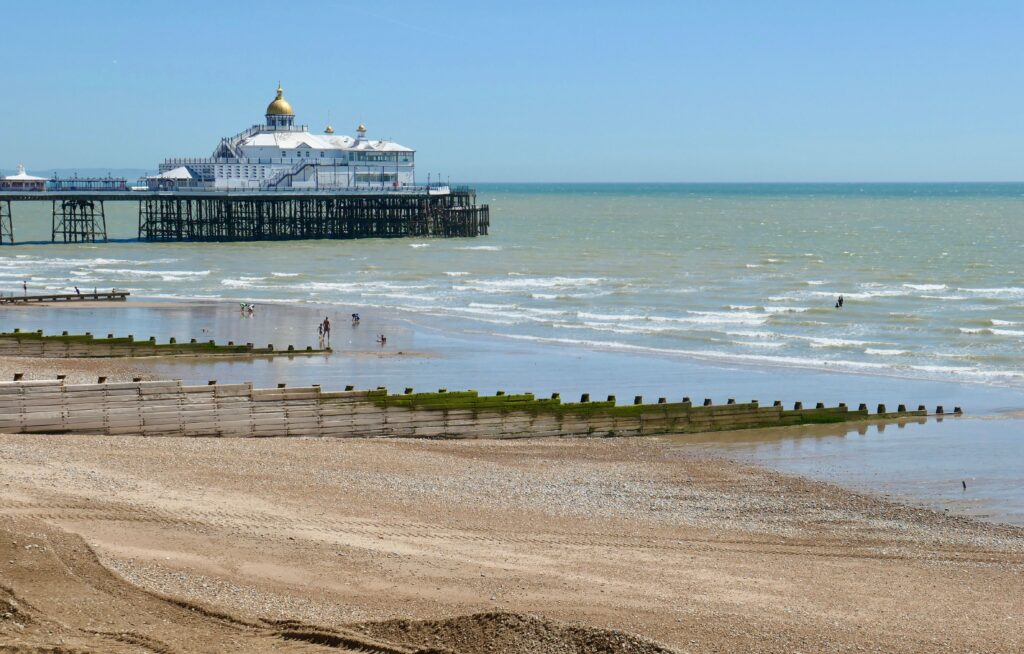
[(173, 409)]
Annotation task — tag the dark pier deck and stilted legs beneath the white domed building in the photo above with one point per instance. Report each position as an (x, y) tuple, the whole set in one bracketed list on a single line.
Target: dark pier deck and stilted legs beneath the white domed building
[(260, 215)]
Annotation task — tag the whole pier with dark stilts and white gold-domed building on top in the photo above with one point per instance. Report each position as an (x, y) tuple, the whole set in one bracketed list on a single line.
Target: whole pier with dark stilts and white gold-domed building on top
[(274, 181)]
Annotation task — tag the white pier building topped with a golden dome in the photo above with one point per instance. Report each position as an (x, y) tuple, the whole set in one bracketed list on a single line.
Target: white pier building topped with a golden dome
[(282, 156)]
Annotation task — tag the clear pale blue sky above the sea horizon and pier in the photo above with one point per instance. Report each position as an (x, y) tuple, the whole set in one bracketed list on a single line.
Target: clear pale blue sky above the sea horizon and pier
[(534, 92)]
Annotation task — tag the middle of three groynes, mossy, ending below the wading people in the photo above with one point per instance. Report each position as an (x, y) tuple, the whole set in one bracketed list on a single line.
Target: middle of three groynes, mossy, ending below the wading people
[(35, 344)]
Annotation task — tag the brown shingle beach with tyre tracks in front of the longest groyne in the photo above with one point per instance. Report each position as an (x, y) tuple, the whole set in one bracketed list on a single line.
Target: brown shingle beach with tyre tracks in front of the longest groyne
[(634, 536)]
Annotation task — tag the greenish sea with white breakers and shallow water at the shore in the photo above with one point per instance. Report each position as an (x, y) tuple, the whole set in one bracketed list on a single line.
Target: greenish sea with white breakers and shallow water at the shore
[(696, 289)]
